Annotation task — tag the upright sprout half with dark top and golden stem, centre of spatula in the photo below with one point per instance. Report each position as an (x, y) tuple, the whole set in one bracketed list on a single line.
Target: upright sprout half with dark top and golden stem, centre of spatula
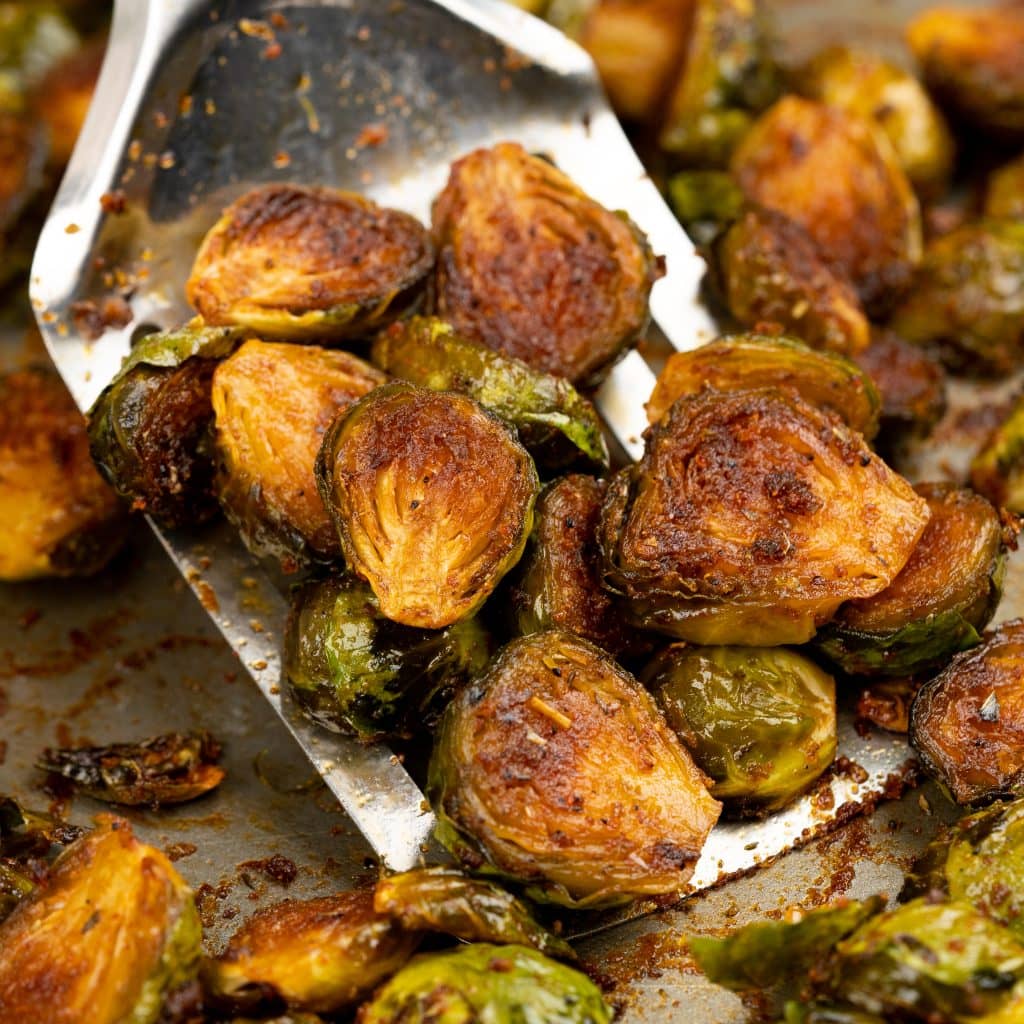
[(433, 498)]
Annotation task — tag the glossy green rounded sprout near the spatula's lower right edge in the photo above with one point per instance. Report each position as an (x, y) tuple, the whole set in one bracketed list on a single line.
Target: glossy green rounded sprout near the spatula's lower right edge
[(759, 721)]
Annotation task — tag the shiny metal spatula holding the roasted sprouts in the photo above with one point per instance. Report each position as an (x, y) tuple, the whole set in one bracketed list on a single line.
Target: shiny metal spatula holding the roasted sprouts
[(198, 102)]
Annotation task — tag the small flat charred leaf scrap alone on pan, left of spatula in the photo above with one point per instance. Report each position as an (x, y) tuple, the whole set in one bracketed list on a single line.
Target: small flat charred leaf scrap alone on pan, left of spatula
[(168, 770)]
